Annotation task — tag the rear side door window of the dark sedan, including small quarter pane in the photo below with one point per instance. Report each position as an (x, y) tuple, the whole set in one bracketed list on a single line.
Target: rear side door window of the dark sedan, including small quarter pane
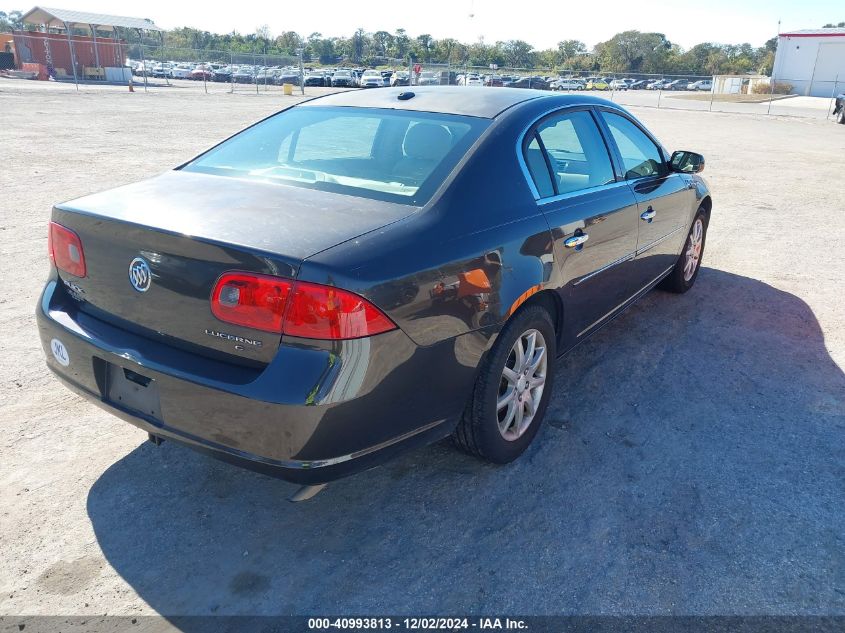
[(575, 153)]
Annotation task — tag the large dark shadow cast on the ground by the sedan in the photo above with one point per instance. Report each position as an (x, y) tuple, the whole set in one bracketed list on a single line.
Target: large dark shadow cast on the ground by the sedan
[(692, 462)]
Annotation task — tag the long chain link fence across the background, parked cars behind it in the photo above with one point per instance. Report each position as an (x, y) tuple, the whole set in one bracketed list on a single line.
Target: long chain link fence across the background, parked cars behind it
[(86, 60)]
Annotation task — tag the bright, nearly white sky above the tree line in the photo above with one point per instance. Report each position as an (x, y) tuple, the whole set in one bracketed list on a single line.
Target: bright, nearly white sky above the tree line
[(541, 23)]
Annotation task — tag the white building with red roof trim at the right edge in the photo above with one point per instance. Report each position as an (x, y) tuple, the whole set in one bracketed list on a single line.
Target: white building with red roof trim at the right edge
[(813, 61)]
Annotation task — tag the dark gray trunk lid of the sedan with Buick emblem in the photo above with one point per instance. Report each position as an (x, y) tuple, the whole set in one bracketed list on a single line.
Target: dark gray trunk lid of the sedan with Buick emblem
[(190, 228)]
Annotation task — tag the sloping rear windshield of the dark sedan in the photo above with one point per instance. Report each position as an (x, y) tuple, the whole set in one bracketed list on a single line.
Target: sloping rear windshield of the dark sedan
[(394, 155)]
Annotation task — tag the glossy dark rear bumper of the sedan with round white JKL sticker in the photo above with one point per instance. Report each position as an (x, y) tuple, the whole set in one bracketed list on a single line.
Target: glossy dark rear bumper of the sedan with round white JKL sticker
[(317, 412)]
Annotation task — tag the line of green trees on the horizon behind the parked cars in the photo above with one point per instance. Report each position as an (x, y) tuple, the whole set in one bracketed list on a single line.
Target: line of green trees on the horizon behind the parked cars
[(626, 52)]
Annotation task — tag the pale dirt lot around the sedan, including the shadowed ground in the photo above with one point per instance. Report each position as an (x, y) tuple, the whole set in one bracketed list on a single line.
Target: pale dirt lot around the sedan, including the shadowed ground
[(692, 462)]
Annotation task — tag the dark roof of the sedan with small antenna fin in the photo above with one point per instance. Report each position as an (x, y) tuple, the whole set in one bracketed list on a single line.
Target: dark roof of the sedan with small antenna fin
[(477, 101)]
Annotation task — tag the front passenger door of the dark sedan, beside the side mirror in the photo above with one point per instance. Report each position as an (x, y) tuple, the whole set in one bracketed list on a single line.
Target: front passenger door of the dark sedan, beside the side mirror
[(663, 197)]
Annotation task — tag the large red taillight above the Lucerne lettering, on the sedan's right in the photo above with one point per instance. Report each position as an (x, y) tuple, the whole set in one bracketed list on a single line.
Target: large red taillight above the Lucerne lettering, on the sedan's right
[(297, 308)]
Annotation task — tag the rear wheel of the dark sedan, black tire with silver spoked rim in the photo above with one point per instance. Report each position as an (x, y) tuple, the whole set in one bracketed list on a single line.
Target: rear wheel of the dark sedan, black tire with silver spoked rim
[(493, 426)]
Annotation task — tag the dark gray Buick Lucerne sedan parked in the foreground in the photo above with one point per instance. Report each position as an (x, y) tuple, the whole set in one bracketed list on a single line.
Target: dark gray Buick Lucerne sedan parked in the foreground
[(367, 272)]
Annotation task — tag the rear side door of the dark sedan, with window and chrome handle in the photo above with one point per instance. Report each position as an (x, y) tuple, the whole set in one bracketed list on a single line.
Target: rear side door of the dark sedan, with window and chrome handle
[(592, 216)]
